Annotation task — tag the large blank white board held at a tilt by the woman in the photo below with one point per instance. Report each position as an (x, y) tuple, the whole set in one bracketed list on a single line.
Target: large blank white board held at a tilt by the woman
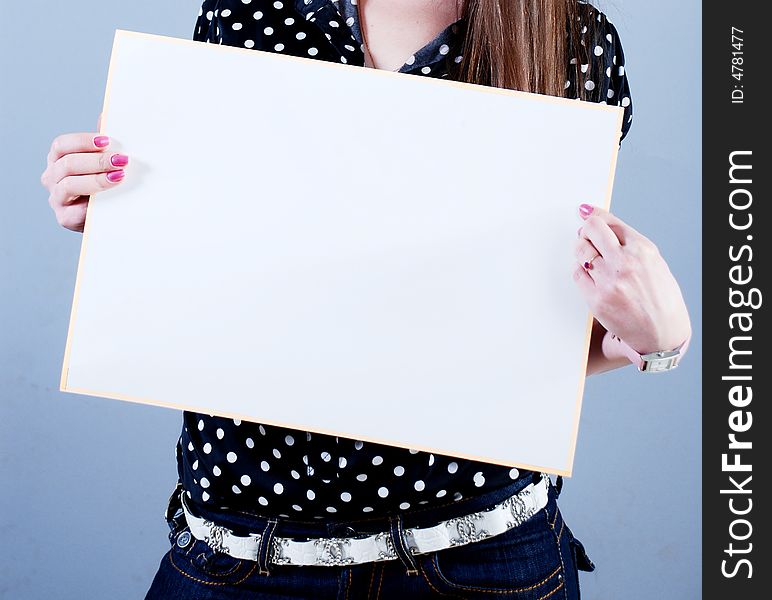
[(342, 250)]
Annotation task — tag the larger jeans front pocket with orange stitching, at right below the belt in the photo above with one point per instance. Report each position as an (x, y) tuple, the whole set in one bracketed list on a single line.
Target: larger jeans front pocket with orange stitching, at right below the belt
[(522, 563)]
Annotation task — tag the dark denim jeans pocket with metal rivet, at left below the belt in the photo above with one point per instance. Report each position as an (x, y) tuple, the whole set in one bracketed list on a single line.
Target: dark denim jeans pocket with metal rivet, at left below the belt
[(197, 560)]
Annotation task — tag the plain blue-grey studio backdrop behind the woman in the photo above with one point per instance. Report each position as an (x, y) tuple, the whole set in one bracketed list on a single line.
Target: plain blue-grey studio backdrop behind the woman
[(83, 481)]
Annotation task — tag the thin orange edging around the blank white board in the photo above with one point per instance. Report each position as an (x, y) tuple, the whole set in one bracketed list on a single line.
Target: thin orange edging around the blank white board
[(64, 385)]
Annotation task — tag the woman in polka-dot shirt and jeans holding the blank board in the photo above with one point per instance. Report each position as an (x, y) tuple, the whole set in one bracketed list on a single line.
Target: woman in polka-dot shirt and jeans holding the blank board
[(270, 512)]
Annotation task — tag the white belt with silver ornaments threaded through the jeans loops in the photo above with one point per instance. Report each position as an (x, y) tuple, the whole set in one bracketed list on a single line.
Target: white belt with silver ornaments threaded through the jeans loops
[(379, 546)]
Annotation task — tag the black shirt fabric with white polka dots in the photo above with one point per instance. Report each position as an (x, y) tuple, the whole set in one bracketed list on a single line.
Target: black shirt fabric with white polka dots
[(278, 471)]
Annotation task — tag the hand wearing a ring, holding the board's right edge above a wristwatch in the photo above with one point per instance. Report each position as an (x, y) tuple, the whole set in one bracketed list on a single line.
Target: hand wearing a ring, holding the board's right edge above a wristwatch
[(628, 285)]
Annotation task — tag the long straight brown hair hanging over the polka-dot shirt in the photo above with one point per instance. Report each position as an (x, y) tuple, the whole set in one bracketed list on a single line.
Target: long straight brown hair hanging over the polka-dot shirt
[(525, 45)]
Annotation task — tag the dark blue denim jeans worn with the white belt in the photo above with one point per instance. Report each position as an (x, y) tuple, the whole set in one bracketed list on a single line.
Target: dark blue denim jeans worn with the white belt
[(537, 560)]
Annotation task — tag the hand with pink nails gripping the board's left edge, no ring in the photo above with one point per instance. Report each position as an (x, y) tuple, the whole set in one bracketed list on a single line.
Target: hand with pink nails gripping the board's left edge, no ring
[(80, 165)]
